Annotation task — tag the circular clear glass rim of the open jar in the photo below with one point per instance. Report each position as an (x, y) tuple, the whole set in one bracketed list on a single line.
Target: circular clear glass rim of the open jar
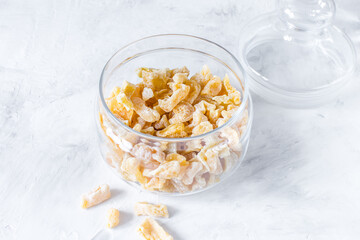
[(245, 101)]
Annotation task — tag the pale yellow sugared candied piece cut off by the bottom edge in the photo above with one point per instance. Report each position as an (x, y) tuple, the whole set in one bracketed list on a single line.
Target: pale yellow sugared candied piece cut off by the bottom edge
[(151, 230)]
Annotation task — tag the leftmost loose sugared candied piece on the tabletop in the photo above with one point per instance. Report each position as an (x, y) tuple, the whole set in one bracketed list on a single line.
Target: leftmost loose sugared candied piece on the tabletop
[(96, 196)]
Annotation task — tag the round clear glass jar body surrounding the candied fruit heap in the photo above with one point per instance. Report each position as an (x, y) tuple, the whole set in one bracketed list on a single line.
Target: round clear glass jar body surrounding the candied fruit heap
[(220, 151)]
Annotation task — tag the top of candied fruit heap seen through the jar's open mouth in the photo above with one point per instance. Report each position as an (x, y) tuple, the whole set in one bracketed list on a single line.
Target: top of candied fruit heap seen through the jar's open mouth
[(167, 103)]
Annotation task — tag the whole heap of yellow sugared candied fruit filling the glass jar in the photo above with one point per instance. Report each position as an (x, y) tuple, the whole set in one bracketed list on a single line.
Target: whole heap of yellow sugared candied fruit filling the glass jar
[(169, 104)]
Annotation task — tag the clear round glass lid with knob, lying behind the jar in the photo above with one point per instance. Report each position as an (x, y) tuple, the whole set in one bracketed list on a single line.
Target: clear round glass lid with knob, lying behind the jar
[(295, 56)]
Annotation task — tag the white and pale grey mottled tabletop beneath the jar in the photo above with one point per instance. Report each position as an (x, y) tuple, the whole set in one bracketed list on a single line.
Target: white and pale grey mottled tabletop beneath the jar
[(300, 179)]
